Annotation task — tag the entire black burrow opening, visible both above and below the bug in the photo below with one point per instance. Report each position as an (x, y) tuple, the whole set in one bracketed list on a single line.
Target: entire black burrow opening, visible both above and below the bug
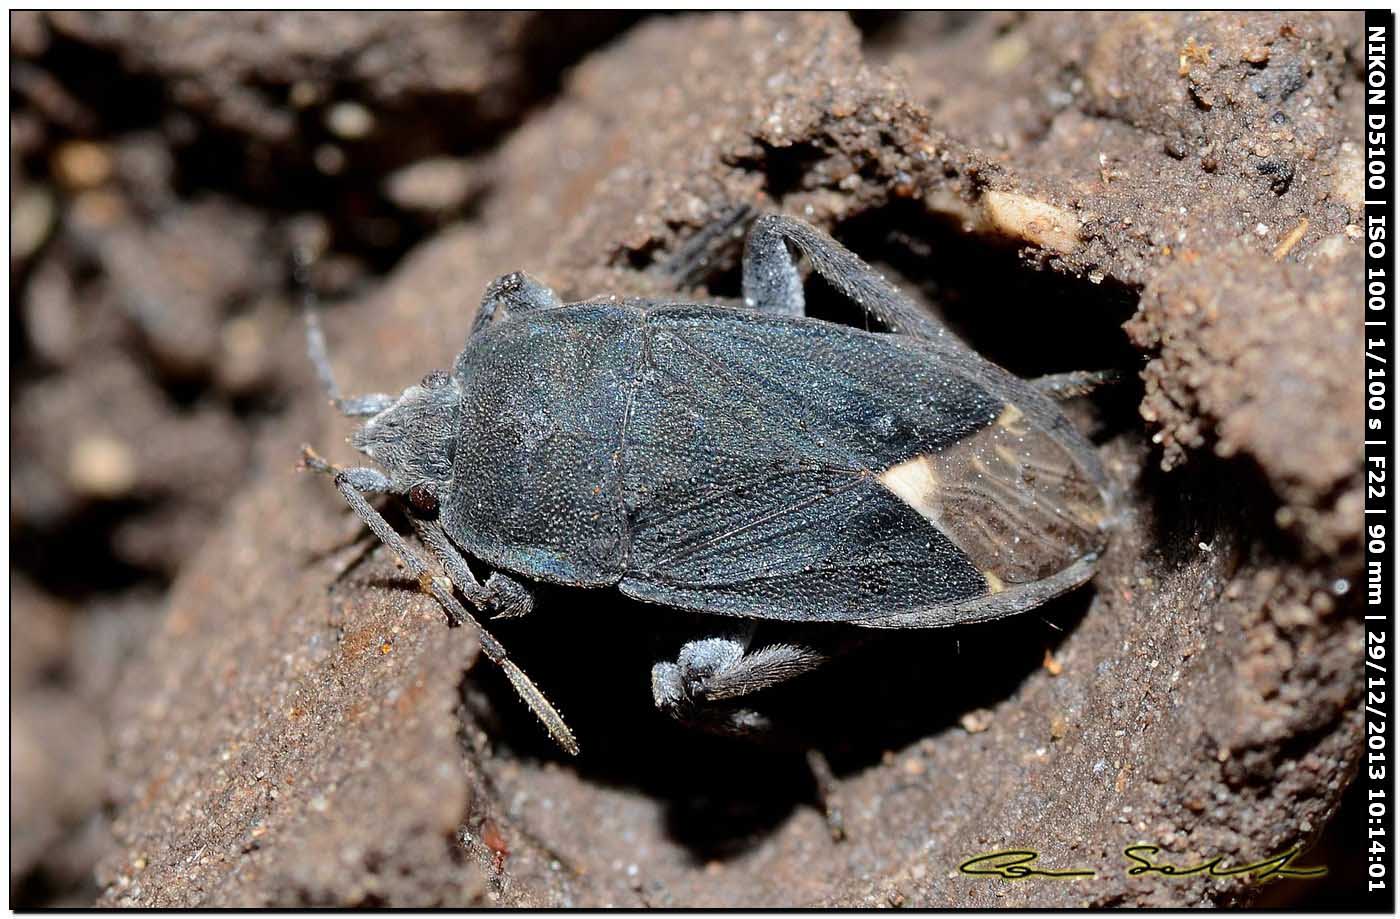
[(593, 651)]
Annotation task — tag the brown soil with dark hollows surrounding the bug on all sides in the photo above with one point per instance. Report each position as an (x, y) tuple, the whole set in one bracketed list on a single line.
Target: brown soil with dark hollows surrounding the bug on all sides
[(223, 694)]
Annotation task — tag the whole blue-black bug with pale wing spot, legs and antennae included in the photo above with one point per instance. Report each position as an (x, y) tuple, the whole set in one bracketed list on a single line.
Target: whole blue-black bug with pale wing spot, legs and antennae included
[(748, 463)]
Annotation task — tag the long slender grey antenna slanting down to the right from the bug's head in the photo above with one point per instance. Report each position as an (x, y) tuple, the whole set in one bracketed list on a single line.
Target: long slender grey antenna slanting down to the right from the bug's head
[(358, 483)]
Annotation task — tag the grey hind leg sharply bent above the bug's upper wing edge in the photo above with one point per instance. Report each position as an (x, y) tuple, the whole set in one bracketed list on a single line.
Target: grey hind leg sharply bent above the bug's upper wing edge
[(772, 282)]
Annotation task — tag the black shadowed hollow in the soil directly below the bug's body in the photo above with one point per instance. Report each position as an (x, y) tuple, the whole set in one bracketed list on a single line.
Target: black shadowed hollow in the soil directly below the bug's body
[(591, 652)]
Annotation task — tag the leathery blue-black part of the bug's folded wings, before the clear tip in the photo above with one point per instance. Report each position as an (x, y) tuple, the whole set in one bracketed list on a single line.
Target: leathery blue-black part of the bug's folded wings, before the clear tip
[(751, 467)]
